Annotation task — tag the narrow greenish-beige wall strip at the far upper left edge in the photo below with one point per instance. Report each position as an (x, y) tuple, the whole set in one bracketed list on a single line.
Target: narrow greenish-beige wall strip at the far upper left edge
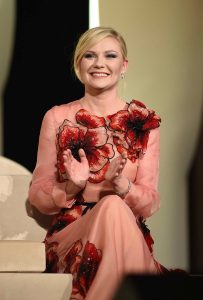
[(7, 26)]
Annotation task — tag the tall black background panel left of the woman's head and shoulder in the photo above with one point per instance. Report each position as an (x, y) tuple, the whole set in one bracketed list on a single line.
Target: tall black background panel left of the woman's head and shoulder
[(41, 71)]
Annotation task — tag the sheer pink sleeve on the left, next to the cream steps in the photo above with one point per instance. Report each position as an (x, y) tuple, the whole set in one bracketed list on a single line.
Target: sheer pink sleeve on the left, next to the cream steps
[(45, 188)]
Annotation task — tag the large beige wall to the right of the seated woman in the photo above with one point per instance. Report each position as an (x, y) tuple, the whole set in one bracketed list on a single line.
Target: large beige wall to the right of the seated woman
[(165, 71)]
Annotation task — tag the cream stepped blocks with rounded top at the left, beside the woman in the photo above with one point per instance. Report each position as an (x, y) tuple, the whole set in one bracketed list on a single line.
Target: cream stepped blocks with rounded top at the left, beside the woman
[(22, 251)]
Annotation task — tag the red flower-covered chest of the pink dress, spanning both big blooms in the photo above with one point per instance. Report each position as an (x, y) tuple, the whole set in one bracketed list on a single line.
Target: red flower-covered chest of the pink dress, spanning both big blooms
[(104, 138)]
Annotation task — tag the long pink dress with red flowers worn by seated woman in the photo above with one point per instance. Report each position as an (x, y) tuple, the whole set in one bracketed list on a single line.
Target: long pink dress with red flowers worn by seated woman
[(100, 237)]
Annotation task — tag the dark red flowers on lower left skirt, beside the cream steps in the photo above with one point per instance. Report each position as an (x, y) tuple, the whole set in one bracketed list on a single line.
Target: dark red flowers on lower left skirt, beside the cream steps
[(81, 261)]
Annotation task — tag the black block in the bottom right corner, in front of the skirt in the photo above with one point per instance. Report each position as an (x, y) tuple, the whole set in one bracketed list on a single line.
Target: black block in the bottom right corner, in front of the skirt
[(174, 286)]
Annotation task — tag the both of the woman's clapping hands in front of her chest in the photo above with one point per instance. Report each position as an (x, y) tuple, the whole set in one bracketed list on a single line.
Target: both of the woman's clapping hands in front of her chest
[(78, 171)]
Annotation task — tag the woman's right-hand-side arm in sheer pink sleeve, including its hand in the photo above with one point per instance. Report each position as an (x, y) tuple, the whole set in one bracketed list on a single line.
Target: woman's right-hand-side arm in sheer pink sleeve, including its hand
[(141, 195)]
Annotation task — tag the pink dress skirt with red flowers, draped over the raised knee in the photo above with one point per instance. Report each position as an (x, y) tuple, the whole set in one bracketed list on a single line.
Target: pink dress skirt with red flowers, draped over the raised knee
[(99, 242)]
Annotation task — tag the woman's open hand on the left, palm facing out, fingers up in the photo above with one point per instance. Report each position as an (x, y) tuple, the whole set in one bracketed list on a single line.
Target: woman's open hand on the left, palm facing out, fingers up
[(77, 171)]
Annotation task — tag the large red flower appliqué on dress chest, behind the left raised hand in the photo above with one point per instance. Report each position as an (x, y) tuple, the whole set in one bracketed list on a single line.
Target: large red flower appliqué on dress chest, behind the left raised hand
[(90, 134)]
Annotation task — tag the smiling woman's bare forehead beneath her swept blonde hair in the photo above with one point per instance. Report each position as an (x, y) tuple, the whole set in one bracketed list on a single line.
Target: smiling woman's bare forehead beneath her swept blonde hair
[(106, 44)]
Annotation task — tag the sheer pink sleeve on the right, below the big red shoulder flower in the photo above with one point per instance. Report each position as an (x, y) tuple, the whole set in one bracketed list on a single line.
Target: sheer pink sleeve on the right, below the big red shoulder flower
[(144, 198)]
